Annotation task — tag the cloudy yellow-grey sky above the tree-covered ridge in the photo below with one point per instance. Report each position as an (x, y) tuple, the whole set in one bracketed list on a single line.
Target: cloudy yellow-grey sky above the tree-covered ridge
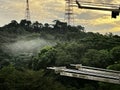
[(49, 10)]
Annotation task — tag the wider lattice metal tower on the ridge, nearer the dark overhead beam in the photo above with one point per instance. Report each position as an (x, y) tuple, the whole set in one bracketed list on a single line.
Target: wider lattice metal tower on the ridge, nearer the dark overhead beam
[(69, 15)]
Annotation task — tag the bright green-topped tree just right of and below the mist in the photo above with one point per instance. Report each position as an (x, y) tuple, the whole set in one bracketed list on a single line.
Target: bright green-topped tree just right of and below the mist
[(45, 58)]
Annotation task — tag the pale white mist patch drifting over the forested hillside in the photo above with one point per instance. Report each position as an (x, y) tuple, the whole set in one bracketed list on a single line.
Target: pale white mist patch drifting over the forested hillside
[(30, 46)]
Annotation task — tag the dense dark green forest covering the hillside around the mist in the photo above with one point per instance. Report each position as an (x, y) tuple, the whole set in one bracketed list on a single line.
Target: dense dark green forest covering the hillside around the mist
[(73, 45)]
